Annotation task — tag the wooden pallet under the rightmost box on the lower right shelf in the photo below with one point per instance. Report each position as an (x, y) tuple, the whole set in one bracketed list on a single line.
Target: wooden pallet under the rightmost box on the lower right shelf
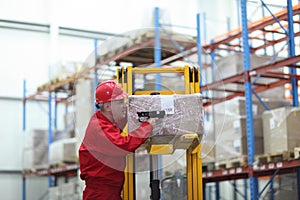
[(274, 157)]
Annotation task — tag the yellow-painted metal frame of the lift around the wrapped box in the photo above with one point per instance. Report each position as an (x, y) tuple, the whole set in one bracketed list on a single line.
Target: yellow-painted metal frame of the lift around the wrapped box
[(193, 153)]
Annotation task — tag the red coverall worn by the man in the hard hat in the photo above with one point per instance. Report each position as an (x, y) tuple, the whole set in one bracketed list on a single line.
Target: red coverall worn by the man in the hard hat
[(102, 157)]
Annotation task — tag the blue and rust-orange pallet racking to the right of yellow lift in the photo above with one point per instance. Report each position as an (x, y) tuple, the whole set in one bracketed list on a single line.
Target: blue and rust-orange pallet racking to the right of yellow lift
[(257, 31)]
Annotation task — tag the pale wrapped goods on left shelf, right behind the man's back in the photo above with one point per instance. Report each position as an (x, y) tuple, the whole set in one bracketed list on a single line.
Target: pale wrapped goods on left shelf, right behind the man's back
[(63, 151)]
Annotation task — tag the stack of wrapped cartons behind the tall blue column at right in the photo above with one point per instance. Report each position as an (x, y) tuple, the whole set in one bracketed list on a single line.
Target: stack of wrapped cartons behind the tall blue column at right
[(230, 127)]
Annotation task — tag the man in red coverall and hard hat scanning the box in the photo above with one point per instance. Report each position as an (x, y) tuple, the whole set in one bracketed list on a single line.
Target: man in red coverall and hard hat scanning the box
[(103, 151)]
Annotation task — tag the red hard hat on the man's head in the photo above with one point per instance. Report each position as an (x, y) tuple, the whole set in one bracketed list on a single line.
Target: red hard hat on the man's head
[(109, 91)]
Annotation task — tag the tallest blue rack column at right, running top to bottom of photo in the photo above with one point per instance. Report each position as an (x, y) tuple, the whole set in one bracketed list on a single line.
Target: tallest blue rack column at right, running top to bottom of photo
[(248, 95)]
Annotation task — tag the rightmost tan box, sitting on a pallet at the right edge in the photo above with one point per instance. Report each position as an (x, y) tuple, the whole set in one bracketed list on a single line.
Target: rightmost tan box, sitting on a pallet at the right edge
[(281, 129)]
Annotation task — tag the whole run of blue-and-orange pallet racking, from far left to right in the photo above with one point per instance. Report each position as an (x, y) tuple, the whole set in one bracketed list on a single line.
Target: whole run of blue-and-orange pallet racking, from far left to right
[(229, 42)]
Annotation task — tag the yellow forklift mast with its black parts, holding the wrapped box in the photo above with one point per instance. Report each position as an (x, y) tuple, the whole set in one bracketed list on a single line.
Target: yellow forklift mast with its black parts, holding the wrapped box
[(189, 142)]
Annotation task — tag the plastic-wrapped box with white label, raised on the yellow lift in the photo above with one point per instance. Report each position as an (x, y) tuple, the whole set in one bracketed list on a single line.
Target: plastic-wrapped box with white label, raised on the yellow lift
[(183, 113)]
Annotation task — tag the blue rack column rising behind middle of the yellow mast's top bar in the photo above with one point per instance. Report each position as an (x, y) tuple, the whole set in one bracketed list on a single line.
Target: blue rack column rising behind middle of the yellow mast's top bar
[(157, 50)]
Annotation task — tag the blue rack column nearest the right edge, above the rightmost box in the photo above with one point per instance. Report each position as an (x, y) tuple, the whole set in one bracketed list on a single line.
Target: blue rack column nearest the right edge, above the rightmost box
[(291, 45)]
